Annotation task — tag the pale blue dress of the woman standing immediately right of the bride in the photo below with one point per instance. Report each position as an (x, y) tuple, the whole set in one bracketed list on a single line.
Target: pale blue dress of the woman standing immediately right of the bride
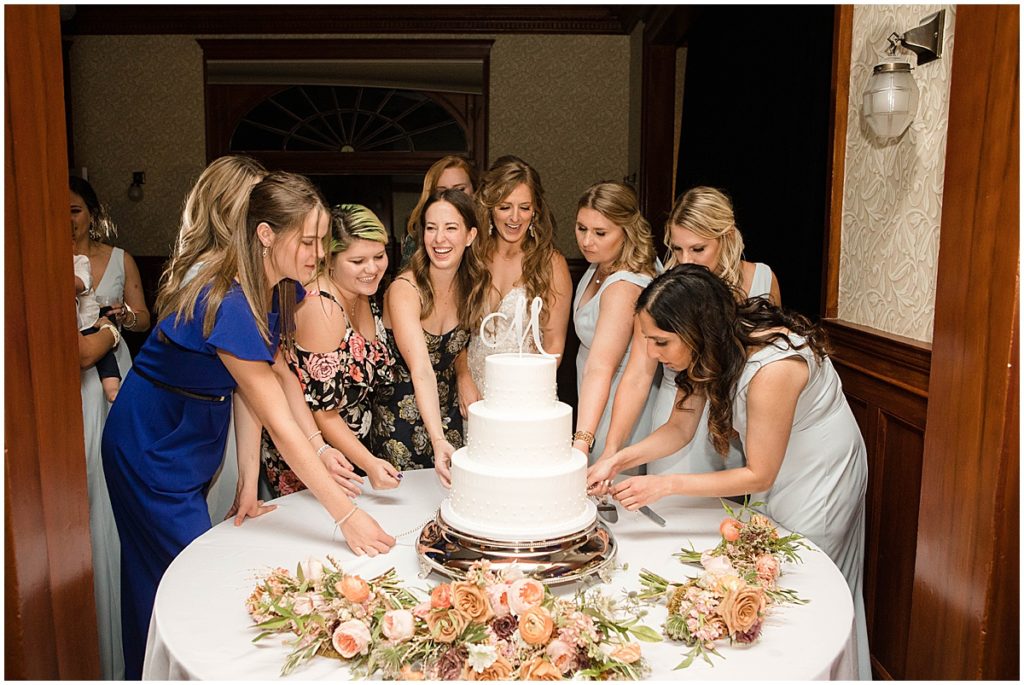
[(585, 321)]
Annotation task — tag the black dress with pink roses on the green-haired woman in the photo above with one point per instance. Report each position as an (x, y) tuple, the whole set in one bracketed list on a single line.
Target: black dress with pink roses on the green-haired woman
[(343, 381)]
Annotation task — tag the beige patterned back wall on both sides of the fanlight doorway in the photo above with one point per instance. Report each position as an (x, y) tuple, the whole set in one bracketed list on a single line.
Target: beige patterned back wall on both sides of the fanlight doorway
[(562, 103)]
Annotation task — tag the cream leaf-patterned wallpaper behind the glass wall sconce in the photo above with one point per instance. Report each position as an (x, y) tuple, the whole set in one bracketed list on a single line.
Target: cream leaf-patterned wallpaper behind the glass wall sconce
[(892, 200)]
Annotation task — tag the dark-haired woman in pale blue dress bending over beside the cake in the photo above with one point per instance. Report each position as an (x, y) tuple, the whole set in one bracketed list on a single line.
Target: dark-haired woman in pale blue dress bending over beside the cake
[(764, 373)]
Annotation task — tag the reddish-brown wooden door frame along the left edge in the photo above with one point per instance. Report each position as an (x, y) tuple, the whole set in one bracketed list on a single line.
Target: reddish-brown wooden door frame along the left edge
[(50, 608)]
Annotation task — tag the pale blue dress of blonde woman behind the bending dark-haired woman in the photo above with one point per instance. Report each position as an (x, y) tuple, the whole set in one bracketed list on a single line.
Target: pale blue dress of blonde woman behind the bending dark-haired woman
[(700, 456)]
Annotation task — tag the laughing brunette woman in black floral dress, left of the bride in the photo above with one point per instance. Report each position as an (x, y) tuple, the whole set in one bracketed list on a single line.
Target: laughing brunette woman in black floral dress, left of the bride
[(432, 308)]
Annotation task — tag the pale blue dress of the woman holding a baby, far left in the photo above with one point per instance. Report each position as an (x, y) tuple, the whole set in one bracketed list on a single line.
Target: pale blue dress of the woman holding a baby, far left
[(103, 530)]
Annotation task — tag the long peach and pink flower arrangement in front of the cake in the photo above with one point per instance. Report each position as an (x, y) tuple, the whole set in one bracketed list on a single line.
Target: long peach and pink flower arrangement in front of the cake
[(491, 626)]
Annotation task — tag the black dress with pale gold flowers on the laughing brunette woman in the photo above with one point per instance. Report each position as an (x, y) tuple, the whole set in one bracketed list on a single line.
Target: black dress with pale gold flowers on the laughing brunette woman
[(399, 432)]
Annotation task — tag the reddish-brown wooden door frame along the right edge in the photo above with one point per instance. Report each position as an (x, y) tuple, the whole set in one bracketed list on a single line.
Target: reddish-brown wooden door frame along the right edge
[(961, 591)]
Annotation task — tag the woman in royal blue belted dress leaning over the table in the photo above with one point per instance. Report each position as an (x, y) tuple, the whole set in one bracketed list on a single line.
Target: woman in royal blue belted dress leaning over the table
[(165, 435)]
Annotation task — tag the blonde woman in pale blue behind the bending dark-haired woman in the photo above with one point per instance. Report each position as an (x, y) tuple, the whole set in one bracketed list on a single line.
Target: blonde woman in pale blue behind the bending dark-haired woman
[(702, 230)]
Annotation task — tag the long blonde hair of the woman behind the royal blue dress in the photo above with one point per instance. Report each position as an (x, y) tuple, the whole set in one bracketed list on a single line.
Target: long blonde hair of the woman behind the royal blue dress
[(215, 210)]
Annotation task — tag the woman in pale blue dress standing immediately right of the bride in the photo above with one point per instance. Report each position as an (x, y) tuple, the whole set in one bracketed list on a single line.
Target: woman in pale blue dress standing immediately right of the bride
[(616, 239)]
